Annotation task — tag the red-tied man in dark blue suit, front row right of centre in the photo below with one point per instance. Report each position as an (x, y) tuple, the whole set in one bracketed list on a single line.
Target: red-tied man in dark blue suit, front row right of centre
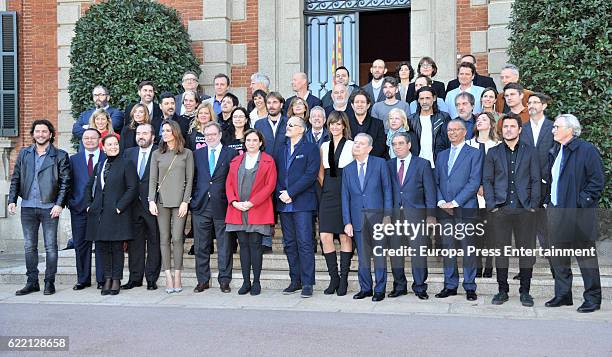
[(414, 201)]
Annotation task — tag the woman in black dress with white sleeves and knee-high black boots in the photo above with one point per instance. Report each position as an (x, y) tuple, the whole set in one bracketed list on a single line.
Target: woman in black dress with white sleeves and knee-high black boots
[(335, 155)]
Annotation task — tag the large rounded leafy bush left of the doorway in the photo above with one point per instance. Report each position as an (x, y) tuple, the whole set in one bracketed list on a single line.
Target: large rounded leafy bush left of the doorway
[(120, 43)]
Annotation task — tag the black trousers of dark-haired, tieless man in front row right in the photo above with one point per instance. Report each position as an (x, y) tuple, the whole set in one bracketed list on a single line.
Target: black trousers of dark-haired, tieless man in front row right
[(520, 222)]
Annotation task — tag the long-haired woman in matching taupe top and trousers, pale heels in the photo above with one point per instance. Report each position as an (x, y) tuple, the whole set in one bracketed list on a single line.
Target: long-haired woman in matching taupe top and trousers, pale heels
[(170, 183)]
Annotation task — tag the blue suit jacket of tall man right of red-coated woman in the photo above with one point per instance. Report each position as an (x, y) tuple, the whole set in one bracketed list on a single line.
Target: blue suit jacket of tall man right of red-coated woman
[(297, 174)]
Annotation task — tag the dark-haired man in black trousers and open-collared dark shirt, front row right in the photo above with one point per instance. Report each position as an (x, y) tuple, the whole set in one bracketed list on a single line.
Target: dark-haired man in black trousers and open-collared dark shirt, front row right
[(511, 183)]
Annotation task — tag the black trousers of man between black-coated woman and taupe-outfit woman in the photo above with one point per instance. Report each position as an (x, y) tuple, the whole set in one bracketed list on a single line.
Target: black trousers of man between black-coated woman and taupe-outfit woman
[(145, 244)]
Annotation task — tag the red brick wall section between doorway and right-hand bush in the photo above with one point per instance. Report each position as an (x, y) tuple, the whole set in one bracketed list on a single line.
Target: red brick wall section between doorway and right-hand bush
[(471, 18)]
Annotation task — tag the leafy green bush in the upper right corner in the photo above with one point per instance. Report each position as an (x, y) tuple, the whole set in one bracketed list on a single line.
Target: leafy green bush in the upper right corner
[(564, 49)]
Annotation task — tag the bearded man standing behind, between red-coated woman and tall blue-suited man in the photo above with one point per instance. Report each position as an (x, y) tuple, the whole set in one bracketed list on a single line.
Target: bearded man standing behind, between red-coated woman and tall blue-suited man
[(273, 129)]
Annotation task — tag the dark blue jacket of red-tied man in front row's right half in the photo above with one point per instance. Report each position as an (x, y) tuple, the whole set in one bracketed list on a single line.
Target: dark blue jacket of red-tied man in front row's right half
[(418, 189)]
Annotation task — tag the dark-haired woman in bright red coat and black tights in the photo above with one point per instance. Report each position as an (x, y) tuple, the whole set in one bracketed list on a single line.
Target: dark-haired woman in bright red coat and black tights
[(249, 187)]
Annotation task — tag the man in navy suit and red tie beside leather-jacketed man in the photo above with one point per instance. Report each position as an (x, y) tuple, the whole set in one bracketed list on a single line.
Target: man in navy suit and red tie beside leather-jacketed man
[(82, 164)]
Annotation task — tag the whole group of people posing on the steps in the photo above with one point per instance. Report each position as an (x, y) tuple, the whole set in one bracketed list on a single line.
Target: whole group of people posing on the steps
[(396, 149)]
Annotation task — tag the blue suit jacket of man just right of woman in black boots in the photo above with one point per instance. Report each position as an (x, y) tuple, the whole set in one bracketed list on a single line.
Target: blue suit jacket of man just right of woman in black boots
[(376, 195)]
